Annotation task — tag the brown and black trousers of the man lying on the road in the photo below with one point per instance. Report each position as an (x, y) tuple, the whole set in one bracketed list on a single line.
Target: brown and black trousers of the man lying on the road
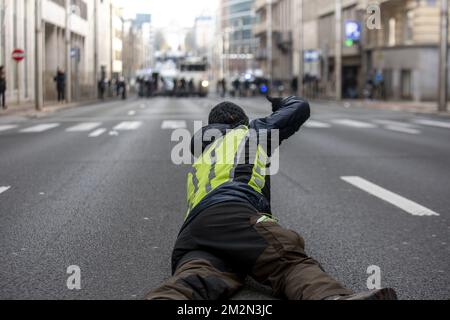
[(209, 273)]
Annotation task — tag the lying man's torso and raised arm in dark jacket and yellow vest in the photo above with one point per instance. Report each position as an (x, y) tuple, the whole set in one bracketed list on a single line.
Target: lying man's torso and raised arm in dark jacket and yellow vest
[(233, 159)]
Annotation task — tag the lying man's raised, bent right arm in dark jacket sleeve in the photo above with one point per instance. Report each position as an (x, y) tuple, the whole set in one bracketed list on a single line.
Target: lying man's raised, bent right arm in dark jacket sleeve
[(288, 116)]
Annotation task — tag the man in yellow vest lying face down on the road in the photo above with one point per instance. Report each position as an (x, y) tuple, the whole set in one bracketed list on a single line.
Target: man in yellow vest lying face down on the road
[(229, 231)]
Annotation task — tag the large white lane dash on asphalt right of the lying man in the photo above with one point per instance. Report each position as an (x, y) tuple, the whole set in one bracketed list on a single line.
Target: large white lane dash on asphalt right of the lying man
[(390, 197)]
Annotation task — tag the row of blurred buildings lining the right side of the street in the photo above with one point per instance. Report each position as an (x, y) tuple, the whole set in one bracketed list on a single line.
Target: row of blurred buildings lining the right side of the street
[(401, 54)]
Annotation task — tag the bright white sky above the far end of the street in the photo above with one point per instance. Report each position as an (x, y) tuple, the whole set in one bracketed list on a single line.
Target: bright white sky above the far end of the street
[(168, 12)]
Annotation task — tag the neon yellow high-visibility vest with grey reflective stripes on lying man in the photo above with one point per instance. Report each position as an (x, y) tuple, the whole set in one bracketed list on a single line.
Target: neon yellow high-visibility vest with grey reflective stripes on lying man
[(217, 165)]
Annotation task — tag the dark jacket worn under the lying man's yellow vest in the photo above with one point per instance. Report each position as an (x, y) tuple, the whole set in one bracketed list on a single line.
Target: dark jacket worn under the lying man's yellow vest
[(287, 118)]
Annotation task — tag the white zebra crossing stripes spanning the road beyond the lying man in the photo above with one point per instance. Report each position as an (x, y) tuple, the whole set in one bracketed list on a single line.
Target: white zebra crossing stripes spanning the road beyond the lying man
[(97, 129)]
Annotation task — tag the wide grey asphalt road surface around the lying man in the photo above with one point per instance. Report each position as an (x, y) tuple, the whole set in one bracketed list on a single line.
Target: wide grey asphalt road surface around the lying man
[(95, 187)]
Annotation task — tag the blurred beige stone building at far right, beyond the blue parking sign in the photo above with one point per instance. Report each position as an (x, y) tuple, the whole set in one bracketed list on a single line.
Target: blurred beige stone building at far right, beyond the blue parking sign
[(406, 50)]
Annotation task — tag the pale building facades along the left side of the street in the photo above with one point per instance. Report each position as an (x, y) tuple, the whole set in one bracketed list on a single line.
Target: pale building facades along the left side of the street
[(88, 50)]
